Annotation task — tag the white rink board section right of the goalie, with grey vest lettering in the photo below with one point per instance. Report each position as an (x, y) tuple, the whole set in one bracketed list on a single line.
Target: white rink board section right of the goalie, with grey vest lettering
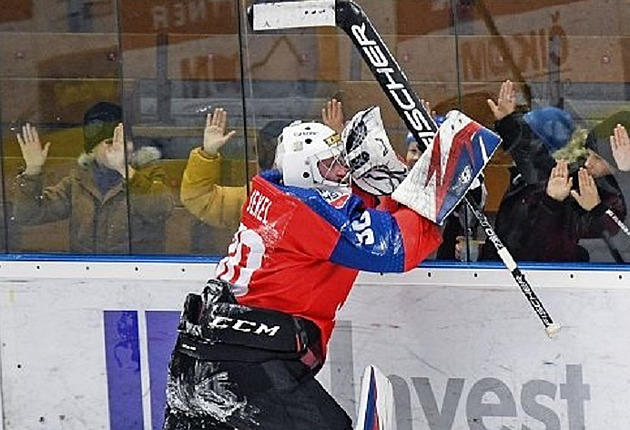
[(487, 339)]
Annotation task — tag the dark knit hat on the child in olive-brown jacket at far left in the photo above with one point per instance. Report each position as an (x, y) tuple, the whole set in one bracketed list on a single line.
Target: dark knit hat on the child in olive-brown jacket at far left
[(99, 123)]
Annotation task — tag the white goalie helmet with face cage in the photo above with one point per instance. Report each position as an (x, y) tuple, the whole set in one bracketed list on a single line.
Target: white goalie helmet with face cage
[(301, 147)]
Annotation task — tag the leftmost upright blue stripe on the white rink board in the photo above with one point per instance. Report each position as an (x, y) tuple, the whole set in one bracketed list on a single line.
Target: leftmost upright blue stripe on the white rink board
[(122, 358)]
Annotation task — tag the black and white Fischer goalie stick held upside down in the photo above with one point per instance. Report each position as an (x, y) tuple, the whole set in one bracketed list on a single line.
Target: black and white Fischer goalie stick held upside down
[(349, 17)]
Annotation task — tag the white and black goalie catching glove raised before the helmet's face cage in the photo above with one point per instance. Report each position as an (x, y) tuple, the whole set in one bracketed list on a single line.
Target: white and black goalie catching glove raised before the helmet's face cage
[(374, 165)]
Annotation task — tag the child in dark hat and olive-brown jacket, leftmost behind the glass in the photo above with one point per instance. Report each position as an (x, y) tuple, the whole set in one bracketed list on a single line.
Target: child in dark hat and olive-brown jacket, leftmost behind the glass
[(94, 196)]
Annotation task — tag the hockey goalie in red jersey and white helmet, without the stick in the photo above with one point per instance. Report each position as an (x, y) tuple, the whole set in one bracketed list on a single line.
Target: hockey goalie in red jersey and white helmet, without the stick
[(251, 344)]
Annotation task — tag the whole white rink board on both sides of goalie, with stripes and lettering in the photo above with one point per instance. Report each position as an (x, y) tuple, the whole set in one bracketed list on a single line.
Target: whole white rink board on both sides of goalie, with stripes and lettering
[(461, 347)]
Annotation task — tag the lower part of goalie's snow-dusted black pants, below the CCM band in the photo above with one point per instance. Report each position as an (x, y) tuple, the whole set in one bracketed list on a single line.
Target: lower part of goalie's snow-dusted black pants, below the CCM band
[(229, 395)]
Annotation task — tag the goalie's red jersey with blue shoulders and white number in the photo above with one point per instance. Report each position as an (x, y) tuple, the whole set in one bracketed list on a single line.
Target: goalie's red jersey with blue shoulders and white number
[(299, 250)]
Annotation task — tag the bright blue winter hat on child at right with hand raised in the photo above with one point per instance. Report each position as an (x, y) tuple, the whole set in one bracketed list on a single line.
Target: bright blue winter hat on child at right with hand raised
[(552, 125)]
